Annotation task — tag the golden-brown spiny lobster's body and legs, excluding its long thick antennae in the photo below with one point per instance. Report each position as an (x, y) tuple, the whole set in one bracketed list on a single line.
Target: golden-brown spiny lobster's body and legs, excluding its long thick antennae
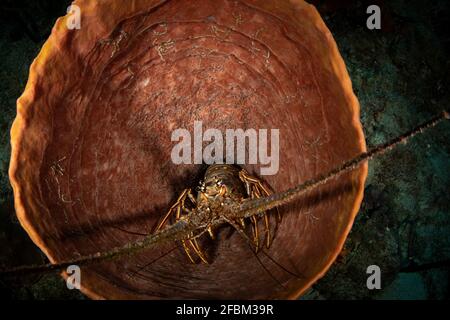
[(223, 186)]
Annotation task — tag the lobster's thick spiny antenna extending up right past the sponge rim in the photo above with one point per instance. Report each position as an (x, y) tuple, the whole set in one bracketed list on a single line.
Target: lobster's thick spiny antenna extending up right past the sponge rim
[(255, 206)]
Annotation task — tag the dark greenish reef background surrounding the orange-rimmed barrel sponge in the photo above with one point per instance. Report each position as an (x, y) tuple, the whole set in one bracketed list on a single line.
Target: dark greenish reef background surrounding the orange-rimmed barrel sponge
[(401, 75)]
